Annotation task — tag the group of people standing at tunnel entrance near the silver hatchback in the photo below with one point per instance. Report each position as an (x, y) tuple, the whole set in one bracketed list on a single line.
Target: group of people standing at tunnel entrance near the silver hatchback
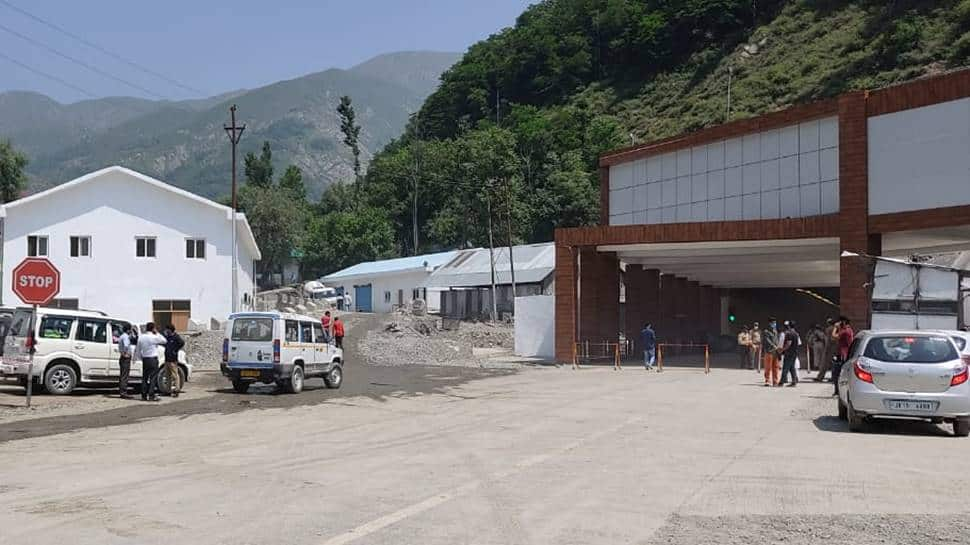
[(777, 347)]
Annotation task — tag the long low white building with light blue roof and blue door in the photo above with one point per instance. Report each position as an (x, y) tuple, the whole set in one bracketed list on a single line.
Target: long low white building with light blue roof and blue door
[(379, 286)]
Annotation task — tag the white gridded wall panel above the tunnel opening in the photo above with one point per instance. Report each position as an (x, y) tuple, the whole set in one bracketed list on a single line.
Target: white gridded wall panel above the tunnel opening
[(788, 172)]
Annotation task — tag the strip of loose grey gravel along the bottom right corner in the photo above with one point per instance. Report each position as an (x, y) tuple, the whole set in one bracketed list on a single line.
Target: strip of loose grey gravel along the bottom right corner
[(809, 530)]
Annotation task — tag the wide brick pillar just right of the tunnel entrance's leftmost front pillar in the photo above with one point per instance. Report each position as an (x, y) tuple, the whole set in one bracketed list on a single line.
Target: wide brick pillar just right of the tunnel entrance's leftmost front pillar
[(599, 296)]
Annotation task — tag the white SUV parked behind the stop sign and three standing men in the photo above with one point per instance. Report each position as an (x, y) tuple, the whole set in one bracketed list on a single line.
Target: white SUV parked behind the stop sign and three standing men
[(73, 348)]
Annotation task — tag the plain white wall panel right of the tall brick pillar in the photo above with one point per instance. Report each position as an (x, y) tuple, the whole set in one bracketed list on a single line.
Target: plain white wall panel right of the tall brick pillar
[(926, 149)]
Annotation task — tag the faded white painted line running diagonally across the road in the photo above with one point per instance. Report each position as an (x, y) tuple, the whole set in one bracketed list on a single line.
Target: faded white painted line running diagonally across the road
[(434, 501)]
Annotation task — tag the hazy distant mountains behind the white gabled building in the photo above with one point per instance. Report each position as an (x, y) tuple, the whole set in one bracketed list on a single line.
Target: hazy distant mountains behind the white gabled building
[(183, 142)]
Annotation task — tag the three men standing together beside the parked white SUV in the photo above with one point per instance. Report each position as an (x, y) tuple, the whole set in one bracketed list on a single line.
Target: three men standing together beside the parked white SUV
[(146, 348)]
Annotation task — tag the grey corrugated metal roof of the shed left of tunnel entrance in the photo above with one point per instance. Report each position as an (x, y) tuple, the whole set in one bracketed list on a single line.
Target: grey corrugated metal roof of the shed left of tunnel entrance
[(533, 264)]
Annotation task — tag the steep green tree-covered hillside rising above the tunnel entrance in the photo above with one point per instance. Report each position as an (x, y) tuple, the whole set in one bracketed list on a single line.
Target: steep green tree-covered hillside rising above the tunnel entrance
[(515, 128)]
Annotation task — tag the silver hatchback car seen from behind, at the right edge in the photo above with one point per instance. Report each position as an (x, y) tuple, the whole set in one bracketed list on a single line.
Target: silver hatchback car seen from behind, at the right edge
[(908, 374)]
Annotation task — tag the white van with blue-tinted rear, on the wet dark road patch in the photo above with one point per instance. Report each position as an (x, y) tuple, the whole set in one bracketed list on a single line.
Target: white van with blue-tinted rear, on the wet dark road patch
[(280, 348)]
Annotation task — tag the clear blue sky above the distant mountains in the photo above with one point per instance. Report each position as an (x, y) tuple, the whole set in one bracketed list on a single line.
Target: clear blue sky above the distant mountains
[(199, 48)]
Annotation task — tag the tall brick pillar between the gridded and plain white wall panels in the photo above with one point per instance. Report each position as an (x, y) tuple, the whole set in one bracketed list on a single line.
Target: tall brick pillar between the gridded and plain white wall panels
[(854, 206)]
